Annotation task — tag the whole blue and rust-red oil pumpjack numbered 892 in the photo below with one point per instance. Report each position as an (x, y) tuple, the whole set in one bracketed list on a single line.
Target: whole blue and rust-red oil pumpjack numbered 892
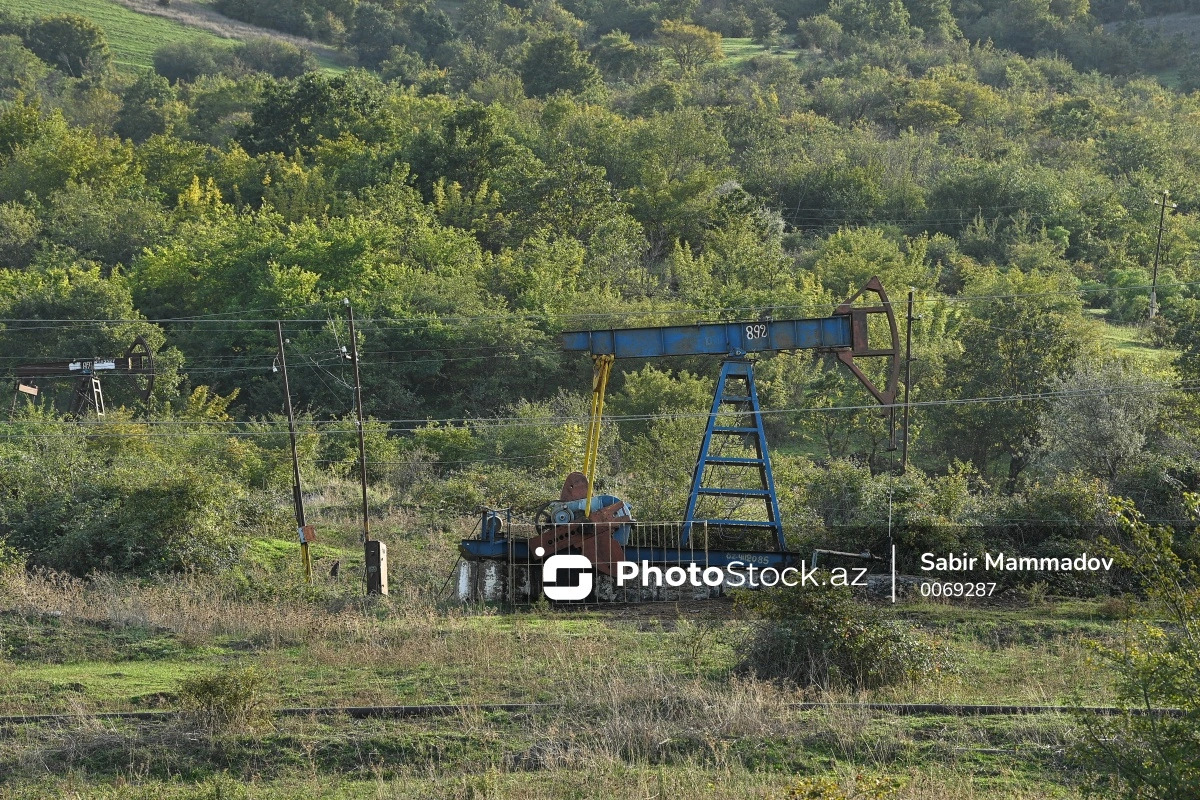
[(505, 561)]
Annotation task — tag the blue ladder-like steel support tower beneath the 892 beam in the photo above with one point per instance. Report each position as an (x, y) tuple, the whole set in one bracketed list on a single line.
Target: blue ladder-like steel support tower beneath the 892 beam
[(747, 405)]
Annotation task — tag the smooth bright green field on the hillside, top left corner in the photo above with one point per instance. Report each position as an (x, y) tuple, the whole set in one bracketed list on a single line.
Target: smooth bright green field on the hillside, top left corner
[(133, 38)]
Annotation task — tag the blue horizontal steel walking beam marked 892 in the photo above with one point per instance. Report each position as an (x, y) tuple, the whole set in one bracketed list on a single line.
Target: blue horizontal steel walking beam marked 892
[(716, 339)]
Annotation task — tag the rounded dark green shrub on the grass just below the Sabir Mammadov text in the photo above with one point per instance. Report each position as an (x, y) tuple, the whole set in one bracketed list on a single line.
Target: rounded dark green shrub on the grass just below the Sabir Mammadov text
[(821, 636)]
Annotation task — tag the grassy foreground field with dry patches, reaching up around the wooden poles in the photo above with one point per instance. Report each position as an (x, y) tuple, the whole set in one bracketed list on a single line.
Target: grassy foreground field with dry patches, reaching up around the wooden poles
[(649, 701)]
